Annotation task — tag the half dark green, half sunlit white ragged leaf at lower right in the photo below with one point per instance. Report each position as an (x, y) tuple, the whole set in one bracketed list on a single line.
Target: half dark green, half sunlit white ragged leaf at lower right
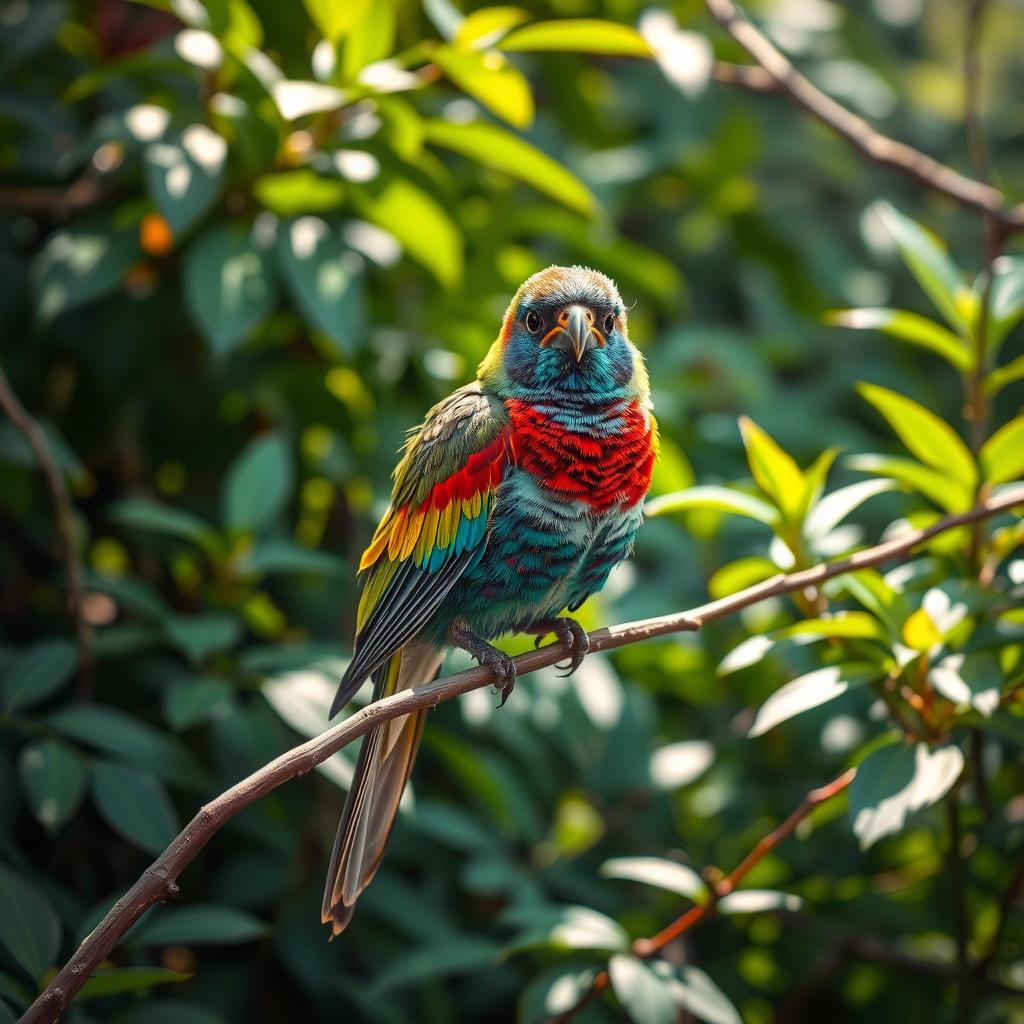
[(898, 781)]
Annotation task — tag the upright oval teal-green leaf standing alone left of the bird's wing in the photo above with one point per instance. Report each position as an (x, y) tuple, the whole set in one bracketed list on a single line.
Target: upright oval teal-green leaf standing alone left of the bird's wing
[(259, 485)]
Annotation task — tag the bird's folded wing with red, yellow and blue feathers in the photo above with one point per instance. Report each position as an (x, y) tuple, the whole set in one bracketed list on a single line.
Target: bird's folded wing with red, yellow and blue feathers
[(437, 526)]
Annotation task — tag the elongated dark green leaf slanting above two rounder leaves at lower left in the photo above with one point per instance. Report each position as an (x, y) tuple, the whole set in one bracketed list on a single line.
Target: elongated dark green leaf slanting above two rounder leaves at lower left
[(117, 733)]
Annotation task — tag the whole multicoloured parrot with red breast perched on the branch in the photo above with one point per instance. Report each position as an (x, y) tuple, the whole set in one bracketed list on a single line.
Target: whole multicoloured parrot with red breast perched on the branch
[(513, 503)]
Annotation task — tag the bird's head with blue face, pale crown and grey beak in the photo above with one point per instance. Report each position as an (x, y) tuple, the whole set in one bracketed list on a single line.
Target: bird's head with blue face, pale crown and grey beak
[(565, 334)]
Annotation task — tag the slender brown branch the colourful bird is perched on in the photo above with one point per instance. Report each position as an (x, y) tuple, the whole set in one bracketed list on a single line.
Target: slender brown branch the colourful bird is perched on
[(159, 880)]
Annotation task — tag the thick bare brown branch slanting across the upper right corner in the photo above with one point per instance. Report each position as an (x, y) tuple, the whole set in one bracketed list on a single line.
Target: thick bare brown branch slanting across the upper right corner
[(862, 136)]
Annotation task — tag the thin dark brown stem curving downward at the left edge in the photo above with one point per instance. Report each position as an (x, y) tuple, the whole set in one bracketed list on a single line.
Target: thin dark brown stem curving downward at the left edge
[(65, 516)]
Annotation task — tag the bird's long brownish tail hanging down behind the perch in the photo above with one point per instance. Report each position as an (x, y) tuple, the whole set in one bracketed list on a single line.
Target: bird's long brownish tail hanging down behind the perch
[(383, 766)]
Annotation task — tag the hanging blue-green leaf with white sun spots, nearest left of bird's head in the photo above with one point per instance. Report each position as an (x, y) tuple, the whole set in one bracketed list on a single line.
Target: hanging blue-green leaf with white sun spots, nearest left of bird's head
[(325, 279)]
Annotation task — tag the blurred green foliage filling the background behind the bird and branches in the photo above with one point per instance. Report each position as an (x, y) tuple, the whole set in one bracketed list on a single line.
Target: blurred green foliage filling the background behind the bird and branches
[(244, 246)]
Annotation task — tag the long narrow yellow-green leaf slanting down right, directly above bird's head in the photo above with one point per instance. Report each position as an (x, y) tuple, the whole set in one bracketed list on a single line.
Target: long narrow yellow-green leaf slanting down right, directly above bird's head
[(496, 148)]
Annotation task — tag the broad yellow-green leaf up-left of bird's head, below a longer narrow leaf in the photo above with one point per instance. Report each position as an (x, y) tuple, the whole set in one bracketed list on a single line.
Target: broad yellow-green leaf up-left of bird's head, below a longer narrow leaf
[(419, 223)]
